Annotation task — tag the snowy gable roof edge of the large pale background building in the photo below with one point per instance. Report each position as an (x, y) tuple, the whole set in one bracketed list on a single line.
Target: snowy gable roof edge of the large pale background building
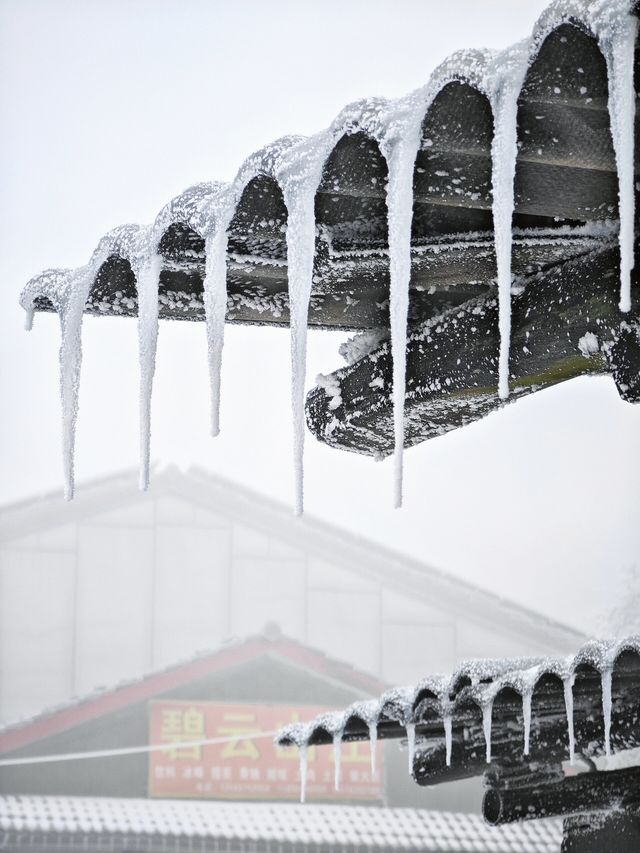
[(358, 555)]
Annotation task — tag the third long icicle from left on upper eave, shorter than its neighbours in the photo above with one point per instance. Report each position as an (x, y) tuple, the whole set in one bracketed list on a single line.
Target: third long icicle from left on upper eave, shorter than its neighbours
[(215, 311)]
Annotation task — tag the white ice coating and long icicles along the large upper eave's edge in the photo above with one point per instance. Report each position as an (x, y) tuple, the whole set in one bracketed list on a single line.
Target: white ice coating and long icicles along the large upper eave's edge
[(296, 165)]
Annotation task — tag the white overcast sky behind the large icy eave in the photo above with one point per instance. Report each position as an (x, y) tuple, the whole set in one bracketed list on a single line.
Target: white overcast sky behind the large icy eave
[(108, 108)]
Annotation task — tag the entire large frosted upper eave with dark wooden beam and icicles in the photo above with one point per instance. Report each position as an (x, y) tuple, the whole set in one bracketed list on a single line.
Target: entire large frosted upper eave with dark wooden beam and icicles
[(402, 221)]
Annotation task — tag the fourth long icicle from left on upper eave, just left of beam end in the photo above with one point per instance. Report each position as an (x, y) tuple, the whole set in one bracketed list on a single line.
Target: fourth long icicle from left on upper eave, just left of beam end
[(300, 252)]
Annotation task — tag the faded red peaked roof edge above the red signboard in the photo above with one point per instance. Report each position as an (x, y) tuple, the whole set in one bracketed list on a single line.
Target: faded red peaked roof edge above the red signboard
[(271, 643)]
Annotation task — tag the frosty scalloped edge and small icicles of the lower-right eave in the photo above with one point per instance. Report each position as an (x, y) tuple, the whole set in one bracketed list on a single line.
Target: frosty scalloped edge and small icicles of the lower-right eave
[(479, 682)]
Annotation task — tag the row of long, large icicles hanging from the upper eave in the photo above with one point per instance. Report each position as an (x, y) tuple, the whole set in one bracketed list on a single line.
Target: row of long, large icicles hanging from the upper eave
[(299, 189)]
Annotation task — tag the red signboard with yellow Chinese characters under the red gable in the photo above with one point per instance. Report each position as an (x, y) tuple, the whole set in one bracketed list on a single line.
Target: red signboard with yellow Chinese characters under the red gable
[(245, 766)]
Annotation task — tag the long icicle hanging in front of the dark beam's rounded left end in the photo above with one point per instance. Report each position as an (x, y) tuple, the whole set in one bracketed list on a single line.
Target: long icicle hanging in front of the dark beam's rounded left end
[(400, 212)]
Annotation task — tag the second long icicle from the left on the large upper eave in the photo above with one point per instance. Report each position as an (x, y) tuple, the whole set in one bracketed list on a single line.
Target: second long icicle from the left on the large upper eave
[(148, 280)]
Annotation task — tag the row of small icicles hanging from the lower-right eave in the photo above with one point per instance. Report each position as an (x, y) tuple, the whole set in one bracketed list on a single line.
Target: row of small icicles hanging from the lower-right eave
[(447, 720)]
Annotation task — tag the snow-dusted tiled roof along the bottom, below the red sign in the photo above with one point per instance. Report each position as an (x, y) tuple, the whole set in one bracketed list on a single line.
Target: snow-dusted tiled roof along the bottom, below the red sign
[(340, 827)]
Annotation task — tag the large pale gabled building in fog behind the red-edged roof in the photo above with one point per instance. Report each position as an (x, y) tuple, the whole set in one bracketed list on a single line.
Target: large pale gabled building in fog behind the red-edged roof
[(137, 581)]
